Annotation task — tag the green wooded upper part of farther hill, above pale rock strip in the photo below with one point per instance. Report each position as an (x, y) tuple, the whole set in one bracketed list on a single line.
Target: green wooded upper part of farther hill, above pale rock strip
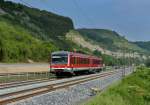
[(108, 39)]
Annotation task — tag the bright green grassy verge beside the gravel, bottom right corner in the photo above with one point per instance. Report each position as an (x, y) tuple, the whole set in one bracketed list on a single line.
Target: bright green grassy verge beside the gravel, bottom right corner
[(133, 90)]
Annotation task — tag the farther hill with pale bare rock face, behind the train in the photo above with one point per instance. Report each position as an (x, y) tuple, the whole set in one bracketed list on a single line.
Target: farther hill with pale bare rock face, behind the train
[(106, 41)]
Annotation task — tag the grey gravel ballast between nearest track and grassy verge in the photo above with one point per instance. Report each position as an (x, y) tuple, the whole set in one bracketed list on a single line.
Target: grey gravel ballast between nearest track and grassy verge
[(74, 94)]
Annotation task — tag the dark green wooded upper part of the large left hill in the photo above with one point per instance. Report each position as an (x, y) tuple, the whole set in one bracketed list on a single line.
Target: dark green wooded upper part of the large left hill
[(41, 24)]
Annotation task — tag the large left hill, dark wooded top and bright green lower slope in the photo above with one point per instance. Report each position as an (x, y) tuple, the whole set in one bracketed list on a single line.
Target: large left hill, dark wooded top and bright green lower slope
[(29, 33)]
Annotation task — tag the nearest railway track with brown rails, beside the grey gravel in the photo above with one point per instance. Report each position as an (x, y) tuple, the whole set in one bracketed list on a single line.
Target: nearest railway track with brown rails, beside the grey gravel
[(23, 94)]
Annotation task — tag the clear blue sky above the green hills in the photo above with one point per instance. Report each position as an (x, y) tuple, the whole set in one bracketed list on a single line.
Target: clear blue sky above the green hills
[(130, 18)]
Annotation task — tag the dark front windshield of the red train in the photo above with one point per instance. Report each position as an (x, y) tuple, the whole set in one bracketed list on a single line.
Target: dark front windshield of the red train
[(59, 59)]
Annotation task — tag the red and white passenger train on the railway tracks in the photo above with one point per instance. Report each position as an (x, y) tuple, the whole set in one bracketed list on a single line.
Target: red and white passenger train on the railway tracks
[(73, 63)]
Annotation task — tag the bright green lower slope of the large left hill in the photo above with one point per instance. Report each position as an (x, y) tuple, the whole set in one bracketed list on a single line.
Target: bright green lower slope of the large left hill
[(16, 44)]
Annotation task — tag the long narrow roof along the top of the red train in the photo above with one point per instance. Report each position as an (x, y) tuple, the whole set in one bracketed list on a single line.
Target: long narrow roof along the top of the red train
[(74, 53)]
